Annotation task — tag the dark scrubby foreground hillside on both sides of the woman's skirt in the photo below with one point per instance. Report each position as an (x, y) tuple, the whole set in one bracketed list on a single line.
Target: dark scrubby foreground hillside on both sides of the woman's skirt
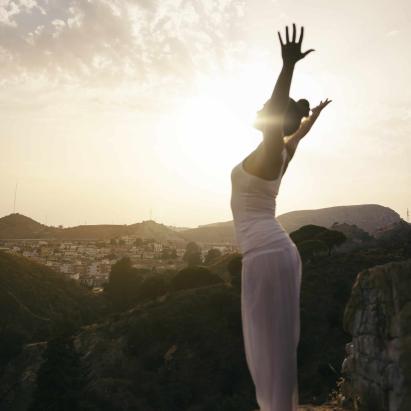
[(184, 351)]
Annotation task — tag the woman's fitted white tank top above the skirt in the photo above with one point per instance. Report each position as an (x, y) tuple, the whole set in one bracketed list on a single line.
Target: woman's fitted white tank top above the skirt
[(253, 201)]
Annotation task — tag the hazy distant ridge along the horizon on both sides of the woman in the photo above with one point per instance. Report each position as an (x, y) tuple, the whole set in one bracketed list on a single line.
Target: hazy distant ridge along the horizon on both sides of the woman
[(372, 218)]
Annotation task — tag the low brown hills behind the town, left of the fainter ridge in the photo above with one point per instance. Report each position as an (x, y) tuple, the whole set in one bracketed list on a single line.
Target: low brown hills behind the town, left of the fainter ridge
[(15, 226)]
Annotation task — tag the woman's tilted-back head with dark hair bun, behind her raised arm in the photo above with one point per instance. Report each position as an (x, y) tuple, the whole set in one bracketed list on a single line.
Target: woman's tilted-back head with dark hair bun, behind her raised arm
[(296, 110)]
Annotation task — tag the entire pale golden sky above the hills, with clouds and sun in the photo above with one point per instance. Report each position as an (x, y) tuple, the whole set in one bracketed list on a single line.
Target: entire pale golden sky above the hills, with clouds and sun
[(119, 111)]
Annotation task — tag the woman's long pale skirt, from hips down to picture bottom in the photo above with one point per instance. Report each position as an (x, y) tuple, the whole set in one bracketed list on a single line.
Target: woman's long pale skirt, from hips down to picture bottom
[(270, 309)]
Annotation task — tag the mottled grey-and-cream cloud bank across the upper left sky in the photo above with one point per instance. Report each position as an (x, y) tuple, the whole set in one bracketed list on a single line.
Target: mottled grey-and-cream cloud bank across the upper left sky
[(104, 43)]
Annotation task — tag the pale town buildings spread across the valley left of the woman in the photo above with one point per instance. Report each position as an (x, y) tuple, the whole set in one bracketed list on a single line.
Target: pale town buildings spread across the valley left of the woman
[(89, 262)]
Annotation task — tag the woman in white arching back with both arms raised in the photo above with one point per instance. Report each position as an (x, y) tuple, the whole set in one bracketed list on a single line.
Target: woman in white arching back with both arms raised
[(271, 270)]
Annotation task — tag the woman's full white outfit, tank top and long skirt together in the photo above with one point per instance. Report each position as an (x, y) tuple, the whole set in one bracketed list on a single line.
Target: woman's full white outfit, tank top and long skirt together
[(270, 293)]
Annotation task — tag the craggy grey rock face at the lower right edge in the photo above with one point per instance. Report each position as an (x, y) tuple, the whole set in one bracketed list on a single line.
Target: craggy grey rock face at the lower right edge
[(377, 369)]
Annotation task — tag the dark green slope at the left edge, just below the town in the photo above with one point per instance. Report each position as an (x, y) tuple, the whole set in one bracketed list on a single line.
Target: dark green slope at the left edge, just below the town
[(35, 302)]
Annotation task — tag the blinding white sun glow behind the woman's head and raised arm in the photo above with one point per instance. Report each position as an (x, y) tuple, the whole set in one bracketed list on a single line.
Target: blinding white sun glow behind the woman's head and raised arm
[(209, 131)]
